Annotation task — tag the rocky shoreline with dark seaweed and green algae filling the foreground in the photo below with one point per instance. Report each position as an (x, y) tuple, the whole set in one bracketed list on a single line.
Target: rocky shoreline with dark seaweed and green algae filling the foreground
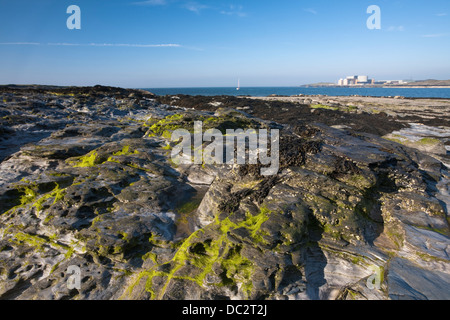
[(86, 180)]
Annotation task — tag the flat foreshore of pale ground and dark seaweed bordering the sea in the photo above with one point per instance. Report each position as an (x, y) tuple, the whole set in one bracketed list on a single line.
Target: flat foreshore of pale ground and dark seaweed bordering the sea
[(383, 116)]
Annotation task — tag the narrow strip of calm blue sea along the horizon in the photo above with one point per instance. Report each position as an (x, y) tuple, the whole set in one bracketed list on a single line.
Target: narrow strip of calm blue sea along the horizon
[(288, 91)]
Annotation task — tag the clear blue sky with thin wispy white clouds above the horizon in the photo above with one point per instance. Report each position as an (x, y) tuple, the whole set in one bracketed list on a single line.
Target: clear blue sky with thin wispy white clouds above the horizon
[(178, 43)]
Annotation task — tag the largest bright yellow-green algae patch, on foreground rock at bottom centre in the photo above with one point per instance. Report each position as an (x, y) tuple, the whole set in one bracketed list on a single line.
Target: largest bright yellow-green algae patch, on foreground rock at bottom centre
[(207, 255)]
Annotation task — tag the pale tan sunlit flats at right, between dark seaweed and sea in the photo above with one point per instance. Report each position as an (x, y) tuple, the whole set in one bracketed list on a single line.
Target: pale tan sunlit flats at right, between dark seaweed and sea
[(424, 118)]
